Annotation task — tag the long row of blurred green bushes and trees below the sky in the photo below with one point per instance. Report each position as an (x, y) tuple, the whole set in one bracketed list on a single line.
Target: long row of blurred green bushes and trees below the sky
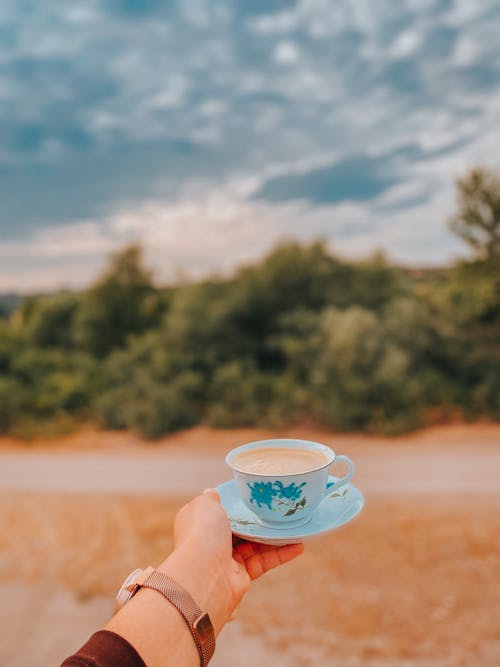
[(300, 336)]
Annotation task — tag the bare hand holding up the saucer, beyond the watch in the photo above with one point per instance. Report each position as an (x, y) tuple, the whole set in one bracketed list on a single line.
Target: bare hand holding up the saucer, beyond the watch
[(221, 571)]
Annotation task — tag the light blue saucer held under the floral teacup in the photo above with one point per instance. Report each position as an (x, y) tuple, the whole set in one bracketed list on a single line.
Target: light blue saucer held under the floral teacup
[(336, 509)]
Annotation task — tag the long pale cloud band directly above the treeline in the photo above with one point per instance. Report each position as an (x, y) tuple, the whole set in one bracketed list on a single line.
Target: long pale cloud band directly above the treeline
[(213, 232)]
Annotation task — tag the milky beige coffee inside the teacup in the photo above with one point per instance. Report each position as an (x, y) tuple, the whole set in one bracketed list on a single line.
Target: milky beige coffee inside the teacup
[(279, 461)]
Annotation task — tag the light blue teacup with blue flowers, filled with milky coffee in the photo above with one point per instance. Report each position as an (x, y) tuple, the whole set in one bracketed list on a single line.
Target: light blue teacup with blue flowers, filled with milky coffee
[(283, 481)]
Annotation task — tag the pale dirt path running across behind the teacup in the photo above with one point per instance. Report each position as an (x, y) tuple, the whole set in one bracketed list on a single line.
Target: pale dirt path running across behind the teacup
[(440, 462)]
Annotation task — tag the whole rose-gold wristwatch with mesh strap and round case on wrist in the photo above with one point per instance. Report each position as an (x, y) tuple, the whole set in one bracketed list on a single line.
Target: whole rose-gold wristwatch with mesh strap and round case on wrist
[(198, 622)]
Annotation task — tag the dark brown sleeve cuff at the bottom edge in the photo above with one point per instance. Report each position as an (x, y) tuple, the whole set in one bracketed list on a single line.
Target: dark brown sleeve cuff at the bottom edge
[(105, 649)]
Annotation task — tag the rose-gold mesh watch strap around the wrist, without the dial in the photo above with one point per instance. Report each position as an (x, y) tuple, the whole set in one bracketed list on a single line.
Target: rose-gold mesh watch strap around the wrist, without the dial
[(198, 622)]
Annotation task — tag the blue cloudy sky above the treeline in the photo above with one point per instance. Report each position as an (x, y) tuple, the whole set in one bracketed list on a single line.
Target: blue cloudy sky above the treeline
[(210, 130)]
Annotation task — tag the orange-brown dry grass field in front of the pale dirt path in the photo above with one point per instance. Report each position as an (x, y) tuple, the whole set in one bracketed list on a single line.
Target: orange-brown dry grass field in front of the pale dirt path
[(413, 581)]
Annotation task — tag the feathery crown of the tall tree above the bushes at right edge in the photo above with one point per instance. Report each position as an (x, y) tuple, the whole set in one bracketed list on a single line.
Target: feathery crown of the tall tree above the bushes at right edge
[(477, 220)]
